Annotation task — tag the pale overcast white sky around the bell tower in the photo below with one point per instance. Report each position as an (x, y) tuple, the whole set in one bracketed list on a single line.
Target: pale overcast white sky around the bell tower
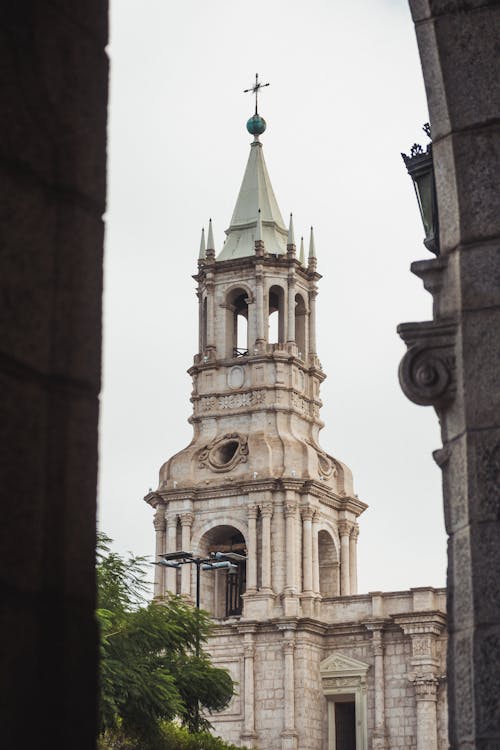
[(346, 96)]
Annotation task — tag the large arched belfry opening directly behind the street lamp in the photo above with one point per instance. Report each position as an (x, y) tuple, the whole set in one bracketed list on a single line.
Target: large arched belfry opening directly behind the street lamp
[(221, 590)]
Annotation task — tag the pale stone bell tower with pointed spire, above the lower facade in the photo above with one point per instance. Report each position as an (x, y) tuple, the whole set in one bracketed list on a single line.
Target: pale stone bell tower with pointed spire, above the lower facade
[(254, 478)]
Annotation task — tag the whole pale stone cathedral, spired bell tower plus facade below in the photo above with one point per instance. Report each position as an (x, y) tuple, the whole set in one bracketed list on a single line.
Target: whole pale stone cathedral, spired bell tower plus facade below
[(255, 480)]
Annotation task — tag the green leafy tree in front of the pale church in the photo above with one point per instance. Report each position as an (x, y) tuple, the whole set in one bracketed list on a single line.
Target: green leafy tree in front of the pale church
[(150, 671)]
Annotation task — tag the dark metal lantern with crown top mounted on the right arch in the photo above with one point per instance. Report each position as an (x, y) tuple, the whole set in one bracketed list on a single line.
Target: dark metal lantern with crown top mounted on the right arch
[(420, 167)]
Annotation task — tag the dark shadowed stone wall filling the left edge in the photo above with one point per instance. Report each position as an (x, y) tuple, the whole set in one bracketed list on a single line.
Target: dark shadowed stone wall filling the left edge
[(53, 84)]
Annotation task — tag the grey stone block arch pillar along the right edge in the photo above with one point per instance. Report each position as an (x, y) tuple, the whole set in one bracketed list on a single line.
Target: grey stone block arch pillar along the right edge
[(459, 43)]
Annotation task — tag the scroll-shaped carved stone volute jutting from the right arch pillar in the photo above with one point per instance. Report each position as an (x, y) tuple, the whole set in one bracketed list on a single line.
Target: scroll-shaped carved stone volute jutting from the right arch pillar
[(427, 371)]
